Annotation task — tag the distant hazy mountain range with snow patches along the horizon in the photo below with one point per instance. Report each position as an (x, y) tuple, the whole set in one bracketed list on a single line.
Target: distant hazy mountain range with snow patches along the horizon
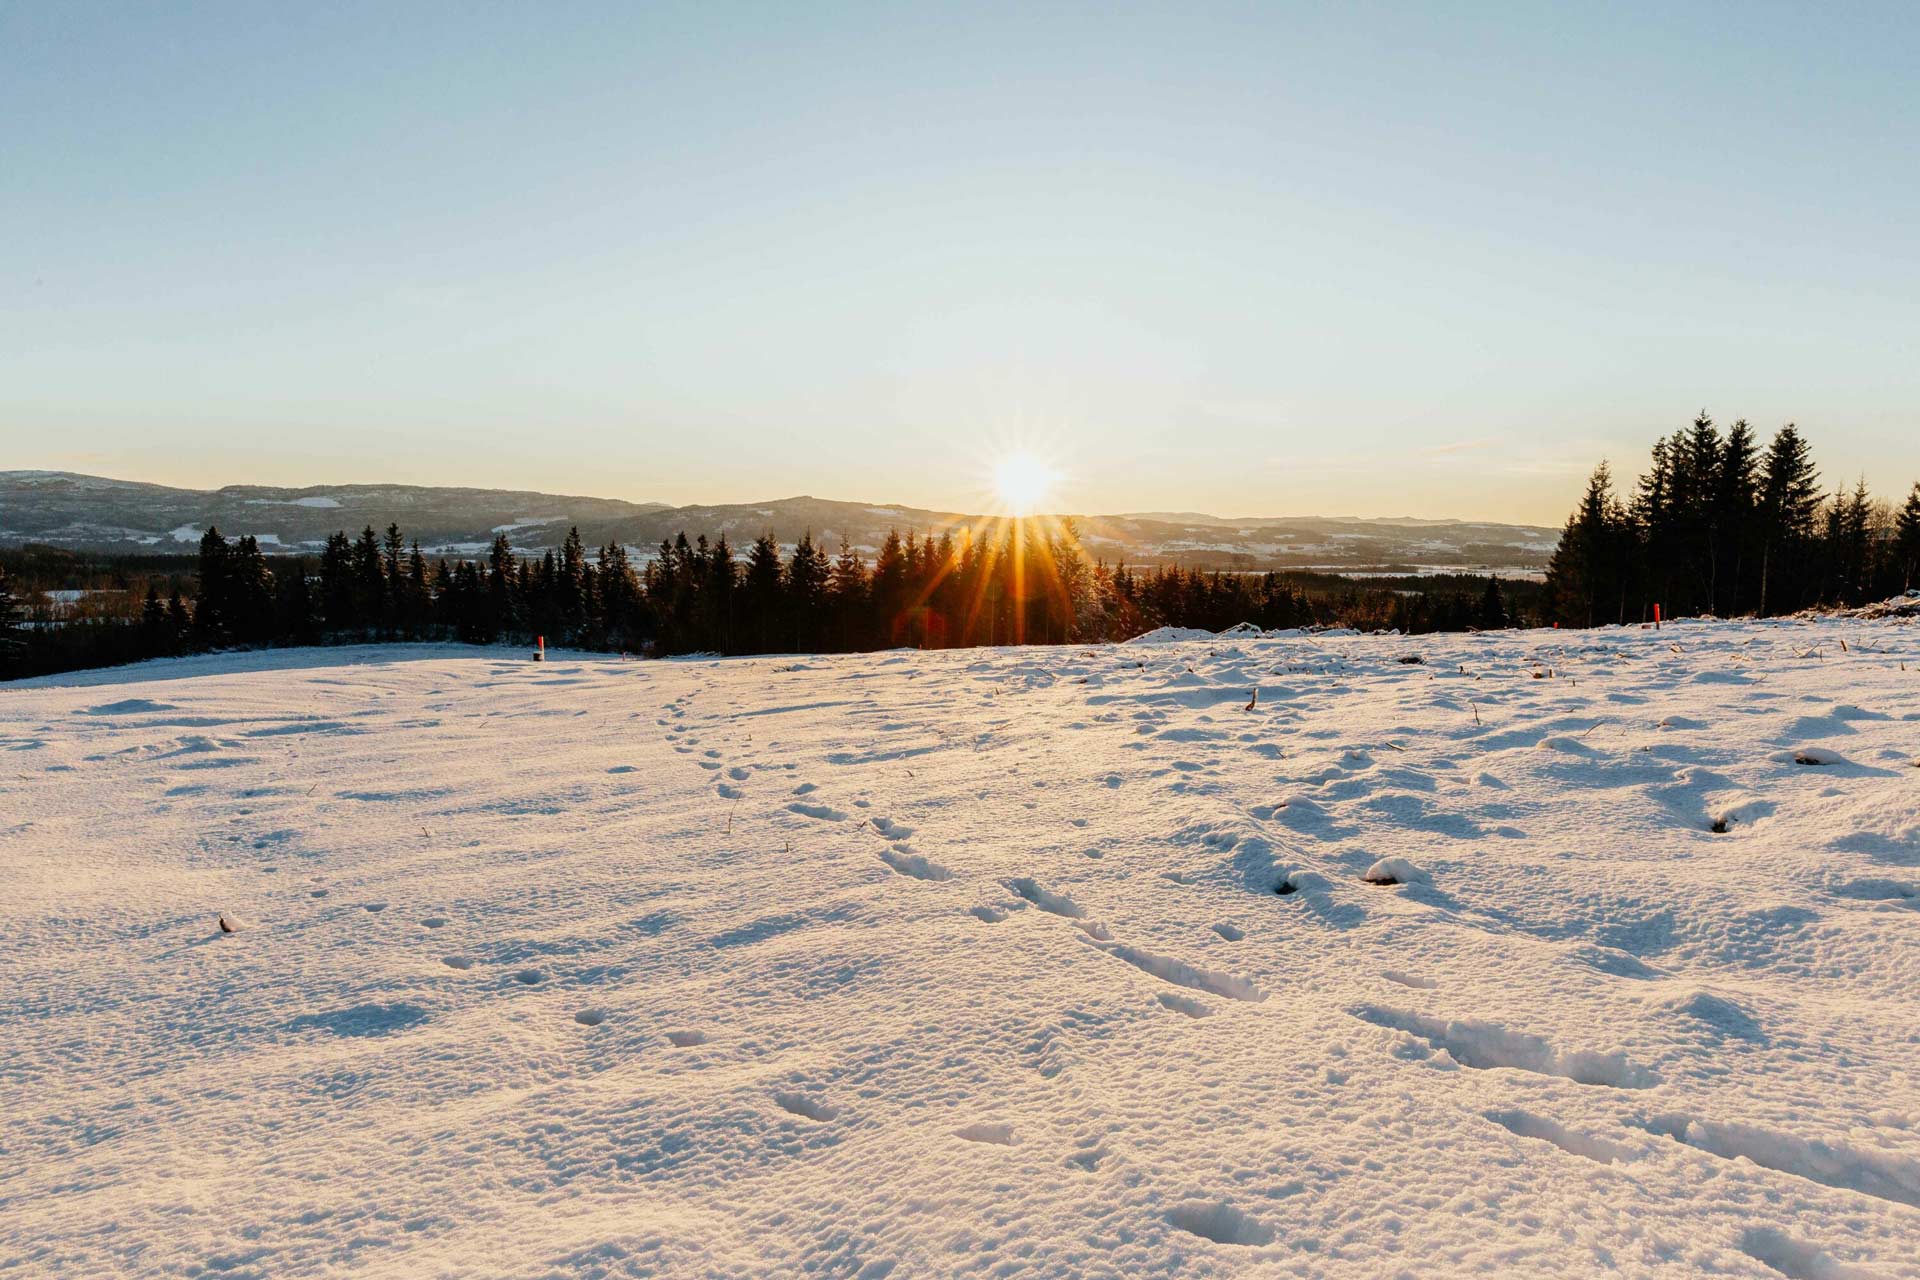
[(93, 513)]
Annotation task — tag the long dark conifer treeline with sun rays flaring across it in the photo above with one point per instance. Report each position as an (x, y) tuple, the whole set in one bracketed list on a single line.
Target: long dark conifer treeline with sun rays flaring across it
[(1020, 582)]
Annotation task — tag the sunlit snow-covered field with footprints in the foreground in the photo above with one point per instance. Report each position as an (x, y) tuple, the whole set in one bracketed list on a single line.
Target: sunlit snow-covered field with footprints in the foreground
[(972, 962)]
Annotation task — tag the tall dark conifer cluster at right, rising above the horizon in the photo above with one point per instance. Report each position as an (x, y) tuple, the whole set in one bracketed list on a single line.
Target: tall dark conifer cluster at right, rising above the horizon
[(1721, 527)]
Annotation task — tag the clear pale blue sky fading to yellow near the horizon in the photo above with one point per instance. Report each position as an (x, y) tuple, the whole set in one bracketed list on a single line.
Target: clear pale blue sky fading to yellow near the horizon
[(1253, 260)]
